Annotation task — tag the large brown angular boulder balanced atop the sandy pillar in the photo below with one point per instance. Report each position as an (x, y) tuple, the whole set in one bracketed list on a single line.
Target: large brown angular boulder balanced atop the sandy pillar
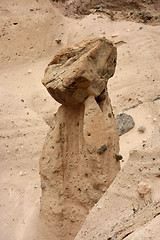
[(80, 71)]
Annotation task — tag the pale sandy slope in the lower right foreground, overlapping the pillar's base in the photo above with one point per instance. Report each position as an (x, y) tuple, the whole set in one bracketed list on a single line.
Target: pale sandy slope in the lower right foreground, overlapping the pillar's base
[(133, 197)]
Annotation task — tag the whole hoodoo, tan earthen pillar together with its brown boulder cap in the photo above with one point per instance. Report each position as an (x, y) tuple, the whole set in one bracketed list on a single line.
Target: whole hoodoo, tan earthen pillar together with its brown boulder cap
[(78, 161)]
